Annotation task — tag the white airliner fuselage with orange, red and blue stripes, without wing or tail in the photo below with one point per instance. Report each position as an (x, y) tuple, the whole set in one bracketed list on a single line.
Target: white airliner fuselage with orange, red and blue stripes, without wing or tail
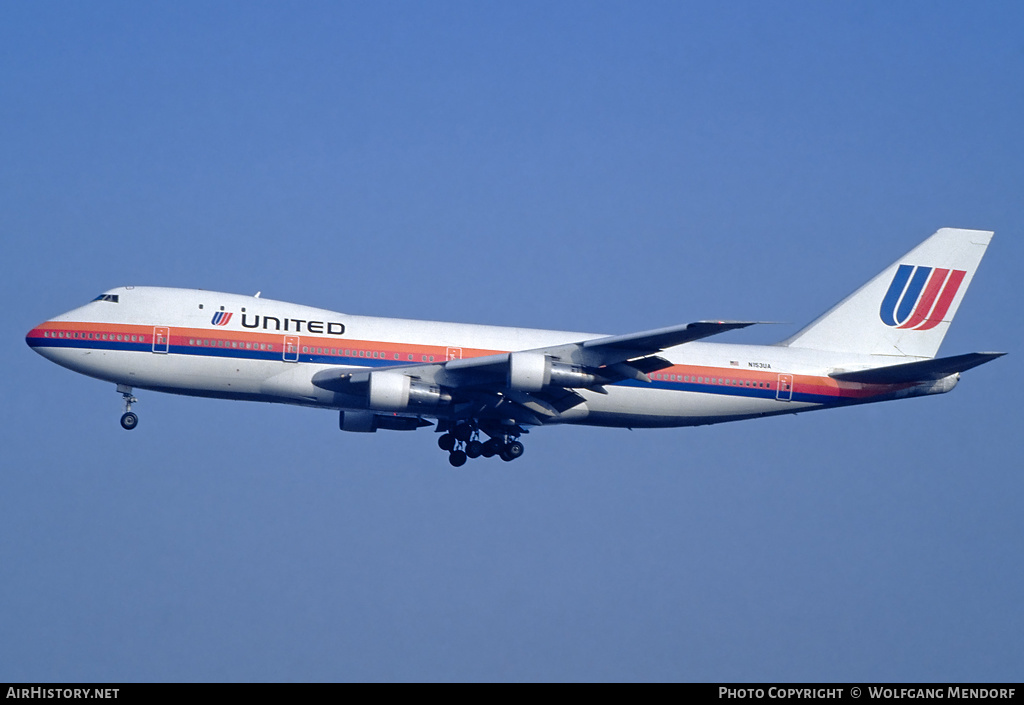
[(216, 345)]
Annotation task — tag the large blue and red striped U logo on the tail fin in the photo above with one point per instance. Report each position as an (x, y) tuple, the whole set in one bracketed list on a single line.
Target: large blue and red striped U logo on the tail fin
[(920, 297)]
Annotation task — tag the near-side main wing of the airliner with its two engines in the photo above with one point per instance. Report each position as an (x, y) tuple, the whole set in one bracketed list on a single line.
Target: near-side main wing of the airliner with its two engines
[(531, 387)]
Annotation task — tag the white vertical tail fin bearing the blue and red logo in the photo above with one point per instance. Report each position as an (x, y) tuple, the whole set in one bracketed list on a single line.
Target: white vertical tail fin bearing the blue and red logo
[(908, 309)]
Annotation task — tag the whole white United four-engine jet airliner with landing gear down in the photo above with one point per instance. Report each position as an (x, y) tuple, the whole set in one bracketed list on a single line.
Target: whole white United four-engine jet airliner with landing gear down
[(485, 387)]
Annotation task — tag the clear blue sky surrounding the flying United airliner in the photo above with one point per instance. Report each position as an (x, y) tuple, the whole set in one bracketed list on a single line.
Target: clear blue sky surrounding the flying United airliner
[(580, 165)]
